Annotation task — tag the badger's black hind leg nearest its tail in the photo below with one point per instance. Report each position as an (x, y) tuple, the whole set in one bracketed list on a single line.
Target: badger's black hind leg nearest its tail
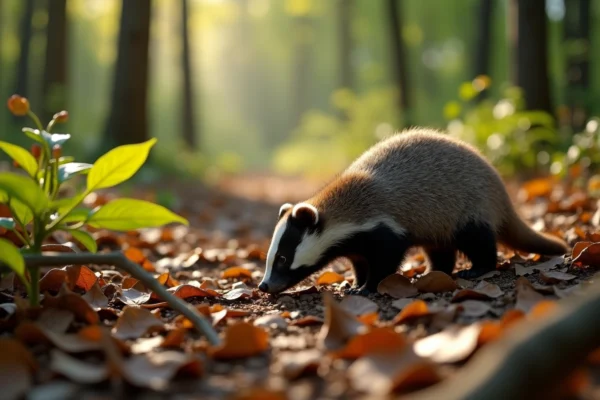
[(477, 241)]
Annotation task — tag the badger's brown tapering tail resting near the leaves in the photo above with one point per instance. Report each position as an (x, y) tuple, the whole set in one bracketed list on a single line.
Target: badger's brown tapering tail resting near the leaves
[(518, 235)]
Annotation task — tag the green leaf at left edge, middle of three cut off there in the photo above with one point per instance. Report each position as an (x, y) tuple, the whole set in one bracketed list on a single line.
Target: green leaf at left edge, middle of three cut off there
[(25, 190)]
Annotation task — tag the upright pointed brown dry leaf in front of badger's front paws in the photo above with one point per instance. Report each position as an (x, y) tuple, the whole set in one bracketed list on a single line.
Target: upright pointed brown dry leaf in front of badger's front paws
[(340, 325)]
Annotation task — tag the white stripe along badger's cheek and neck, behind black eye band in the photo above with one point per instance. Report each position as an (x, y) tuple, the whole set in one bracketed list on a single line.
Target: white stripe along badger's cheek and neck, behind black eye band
[(313, 246)]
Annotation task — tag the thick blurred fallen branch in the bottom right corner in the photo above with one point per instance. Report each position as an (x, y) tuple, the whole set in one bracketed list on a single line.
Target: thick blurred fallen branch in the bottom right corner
[(532, 359)]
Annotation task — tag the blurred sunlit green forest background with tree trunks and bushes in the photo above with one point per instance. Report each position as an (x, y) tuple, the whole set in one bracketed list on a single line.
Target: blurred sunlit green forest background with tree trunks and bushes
[(304, 86)]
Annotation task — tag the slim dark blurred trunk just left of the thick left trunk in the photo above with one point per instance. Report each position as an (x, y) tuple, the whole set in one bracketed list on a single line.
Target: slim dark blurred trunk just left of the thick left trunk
[(54, 89)]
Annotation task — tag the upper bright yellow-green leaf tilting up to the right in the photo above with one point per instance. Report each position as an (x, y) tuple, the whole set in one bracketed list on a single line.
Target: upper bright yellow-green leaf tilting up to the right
[(118, 165)]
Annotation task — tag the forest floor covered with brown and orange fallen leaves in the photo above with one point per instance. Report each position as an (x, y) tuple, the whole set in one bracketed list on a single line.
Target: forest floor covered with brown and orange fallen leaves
[(301, 344)]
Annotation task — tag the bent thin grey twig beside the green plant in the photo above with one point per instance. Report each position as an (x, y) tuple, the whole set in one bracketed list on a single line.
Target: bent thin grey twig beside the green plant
[(120, 261)]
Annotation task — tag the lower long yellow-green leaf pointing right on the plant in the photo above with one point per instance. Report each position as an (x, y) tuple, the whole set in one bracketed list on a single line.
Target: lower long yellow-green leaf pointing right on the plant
[(128, 214)]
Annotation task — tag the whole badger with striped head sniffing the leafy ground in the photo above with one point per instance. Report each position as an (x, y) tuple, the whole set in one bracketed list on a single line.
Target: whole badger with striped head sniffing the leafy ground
[(419, 187)]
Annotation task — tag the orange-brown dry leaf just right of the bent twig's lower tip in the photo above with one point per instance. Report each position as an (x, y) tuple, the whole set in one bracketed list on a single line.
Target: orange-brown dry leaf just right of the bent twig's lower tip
[(241, 340)]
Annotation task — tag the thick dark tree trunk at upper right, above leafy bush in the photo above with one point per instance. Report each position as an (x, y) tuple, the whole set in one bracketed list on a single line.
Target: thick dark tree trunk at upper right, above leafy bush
[(529, 42)]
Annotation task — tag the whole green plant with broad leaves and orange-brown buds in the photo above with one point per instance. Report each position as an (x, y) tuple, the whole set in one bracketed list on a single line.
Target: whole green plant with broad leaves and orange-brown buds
[(36, 203)]
